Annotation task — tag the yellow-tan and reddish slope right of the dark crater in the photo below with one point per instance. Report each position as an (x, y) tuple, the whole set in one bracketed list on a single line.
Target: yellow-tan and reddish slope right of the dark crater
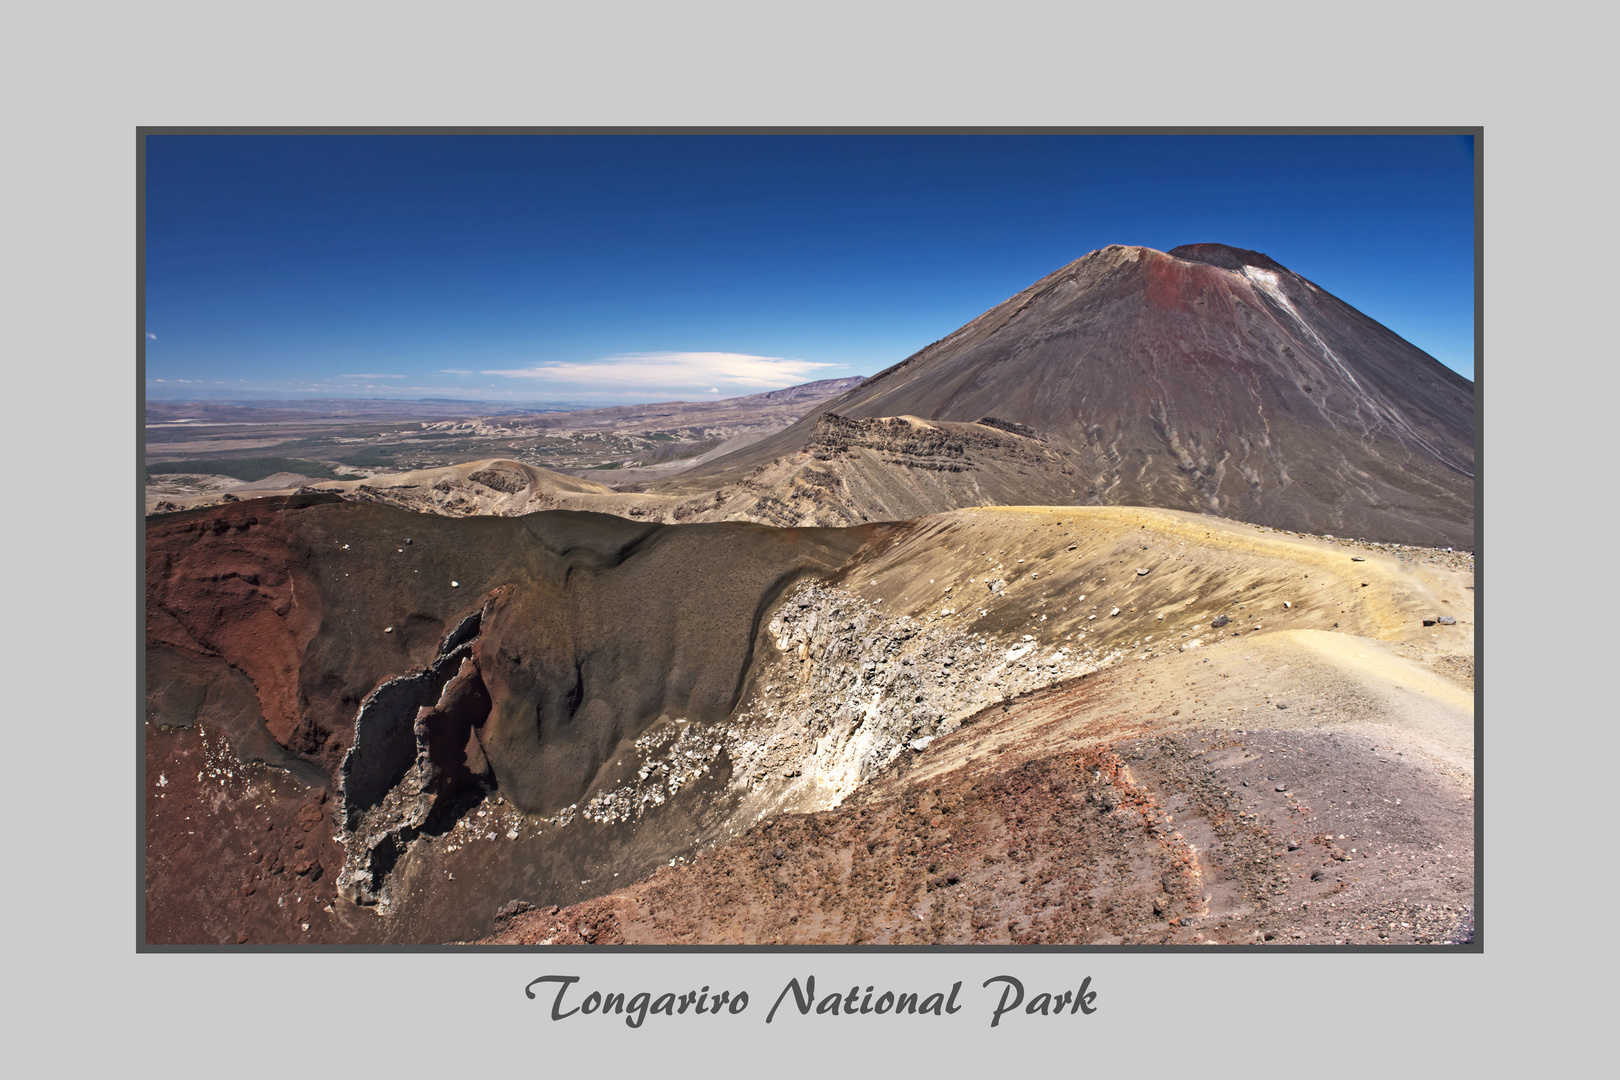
[(1273, 781)]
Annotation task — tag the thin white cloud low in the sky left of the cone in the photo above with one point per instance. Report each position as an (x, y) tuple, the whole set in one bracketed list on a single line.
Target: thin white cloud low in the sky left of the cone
[(675, 370)]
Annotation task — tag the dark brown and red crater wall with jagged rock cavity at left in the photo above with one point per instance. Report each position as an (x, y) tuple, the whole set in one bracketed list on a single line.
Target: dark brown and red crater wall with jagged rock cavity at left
[(509, 653)]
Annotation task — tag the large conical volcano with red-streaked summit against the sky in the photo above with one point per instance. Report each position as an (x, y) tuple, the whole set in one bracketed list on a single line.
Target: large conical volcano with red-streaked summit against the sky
[(1208, 380)]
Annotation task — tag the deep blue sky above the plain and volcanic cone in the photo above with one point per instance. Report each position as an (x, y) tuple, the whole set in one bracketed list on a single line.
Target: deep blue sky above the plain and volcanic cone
[(649, 268)]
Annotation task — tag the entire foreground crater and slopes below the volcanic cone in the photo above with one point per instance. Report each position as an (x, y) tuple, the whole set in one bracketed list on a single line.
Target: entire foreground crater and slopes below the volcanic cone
[(367, 725)]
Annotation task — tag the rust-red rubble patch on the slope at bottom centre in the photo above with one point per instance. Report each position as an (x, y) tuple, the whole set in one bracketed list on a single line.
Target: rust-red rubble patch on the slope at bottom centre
[(1057, 851)]
